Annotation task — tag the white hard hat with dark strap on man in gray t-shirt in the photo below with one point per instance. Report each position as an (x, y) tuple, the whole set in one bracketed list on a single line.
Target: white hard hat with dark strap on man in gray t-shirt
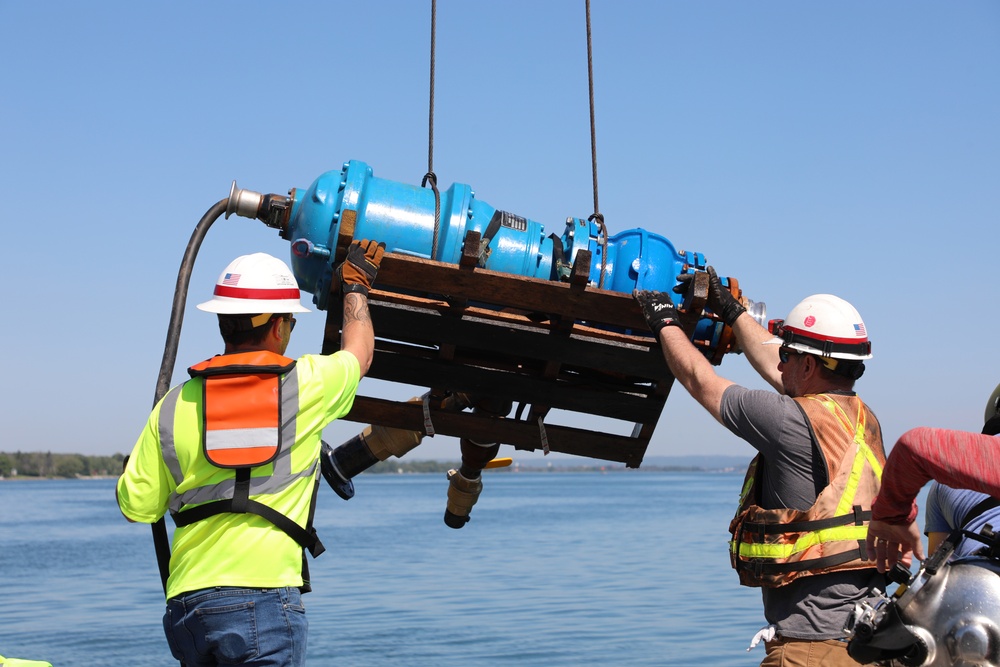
[(825, 325)]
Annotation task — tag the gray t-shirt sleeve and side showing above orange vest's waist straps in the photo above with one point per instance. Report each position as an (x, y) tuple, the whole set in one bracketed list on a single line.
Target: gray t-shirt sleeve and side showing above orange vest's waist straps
[(775, 426)]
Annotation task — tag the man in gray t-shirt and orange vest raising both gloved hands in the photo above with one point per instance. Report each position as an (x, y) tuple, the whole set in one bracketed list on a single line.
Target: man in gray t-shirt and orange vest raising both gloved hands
[(800, 528)]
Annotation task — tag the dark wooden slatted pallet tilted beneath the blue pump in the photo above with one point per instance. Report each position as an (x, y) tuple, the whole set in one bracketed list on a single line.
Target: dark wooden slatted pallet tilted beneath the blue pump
[(538, 343)]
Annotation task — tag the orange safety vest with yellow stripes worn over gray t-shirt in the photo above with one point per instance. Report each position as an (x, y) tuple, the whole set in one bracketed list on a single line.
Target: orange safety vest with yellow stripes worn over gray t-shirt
[(772, 547)]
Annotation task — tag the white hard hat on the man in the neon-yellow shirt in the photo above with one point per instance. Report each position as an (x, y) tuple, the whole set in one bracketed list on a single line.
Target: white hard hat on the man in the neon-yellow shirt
[(252, 284)]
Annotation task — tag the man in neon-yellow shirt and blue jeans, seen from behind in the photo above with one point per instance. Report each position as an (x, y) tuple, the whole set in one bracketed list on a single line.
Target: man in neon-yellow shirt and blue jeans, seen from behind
[(233, 455)]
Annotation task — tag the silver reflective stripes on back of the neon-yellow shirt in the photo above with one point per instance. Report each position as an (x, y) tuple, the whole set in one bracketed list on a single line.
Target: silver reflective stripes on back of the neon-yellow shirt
[(280, 479)]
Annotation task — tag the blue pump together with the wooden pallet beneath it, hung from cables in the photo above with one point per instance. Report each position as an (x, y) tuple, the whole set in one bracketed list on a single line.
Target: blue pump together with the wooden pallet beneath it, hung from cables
[(481, 303)]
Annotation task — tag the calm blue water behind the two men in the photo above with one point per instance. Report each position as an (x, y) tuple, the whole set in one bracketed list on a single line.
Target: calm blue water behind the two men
[(554, 569)]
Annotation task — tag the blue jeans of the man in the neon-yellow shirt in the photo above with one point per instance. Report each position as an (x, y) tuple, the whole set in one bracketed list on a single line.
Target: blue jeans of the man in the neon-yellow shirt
[(237, 626)]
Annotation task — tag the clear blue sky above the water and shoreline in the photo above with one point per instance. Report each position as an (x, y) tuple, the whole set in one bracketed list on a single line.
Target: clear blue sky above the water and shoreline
[(845, 147)]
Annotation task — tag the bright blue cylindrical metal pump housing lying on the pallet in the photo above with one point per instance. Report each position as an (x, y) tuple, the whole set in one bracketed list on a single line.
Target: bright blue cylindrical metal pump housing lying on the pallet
[(402, 216)]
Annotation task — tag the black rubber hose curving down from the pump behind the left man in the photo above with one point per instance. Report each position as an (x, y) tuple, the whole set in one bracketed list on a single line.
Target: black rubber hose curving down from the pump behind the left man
[(160, 541)]
